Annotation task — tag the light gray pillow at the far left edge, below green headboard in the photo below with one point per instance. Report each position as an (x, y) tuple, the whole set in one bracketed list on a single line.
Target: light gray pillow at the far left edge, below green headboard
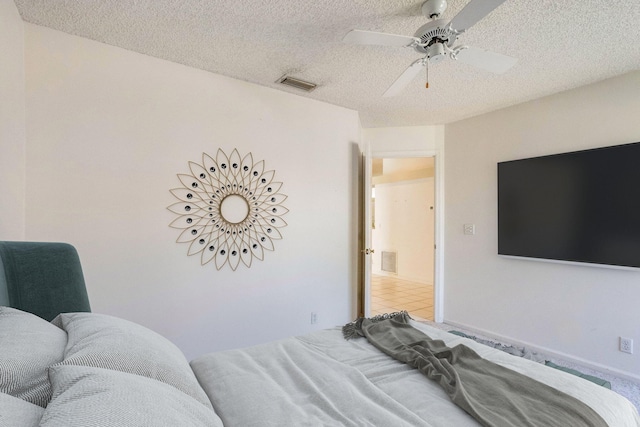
[(28, 346)]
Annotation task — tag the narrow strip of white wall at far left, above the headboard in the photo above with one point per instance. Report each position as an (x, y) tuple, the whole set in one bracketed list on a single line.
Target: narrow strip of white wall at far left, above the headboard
[(12, 123)]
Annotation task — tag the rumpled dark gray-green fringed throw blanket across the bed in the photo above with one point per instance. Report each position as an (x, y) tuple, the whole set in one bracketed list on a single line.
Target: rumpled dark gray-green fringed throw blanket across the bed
[(492, 394)]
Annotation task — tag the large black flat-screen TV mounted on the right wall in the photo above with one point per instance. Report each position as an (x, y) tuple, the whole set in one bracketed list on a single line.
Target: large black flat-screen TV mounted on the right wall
[(582, 206)]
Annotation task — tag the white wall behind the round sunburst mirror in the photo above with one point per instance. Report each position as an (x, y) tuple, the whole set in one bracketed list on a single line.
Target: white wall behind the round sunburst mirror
[(109, 130)]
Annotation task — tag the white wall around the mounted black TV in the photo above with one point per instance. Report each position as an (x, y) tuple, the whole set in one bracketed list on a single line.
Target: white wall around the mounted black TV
[(577, 310)]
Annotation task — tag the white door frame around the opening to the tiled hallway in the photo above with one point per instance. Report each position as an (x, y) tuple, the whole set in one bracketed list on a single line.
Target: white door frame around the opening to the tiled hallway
[(438, 265)]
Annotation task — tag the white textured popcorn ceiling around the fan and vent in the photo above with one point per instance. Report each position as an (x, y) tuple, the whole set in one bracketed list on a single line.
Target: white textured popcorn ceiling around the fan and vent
[(560, 44)]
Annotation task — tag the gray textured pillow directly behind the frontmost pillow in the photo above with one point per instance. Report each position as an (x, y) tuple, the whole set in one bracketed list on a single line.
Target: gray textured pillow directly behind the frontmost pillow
[(108, 342)]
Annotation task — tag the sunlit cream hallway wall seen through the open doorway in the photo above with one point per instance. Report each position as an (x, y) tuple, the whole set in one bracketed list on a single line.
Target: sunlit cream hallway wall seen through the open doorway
[(405, 224)]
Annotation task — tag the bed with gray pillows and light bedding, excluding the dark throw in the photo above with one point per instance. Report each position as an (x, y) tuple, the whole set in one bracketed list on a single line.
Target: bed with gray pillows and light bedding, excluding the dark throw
[(88, 369)]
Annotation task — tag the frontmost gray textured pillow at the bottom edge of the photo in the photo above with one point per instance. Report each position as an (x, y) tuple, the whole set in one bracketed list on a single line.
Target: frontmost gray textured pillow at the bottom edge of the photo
[(95, 397)]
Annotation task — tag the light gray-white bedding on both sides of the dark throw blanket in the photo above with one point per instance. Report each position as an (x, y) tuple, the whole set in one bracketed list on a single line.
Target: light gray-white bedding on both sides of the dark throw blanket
[(322, 379)]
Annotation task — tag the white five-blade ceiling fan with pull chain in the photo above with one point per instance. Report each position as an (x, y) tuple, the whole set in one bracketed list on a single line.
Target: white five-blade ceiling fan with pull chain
[(436, 40)]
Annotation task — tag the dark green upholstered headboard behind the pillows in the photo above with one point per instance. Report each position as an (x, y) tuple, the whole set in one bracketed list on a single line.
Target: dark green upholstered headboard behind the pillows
[(43, 278)]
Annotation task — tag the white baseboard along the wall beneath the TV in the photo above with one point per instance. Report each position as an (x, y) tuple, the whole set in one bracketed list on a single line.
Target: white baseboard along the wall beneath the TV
[(547, 351)]
